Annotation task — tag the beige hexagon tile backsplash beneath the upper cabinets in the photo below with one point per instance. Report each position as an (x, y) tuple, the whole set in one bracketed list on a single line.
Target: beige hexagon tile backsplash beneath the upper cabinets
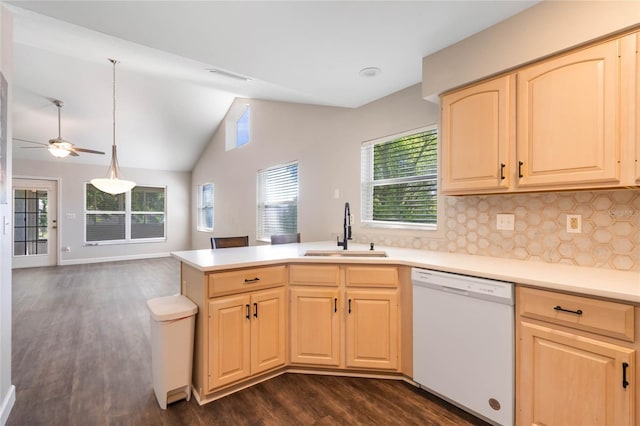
[(610, 236)]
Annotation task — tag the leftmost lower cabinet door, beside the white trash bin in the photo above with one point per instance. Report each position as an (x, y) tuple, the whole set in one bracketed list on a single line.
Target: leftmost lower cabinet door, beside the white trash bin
[(229, 340)]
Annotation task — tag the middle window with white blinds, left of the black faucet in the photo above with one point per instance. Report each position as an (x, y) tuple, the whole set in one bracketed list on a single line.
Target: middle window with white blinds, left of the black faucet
[(277, 201)]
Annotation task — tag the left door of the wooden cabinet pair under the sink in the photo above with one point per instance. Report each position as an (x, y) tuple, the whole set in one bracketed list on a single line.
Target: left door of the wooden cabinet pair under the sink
[(315, 326)]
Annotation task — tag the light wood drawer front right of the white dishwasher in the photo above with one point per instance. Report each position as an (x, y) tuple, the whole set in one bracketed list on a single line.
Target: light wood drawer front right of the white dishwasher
[(583, 313)]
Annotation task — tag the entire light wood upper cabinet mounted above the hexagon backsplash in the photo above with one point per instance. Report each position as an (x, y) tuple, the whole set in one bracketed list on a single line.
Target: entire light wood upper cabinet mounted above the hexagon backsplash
[(563, 123)]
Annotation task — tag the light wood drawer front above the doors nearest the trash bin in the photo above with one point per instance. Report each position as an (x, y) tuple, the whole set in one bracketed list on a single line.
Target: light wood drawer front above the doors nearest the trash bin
[(246, 279)]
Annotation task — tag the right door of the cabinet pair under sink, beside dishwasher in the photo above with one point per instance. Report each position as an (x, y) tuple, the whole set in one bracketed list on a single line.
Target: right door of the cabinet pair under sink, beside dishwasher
[(372, 329)]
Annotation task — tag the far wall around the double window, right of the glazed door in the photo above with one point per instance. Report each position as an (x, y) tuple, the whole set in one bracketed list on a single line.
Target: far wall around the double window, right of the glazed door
[(71, 198)]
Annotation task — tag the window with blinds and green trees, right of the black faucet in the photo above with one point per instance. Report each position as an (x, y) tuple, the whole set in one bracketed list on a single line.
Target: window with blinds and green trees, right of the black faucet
[(399, 180)]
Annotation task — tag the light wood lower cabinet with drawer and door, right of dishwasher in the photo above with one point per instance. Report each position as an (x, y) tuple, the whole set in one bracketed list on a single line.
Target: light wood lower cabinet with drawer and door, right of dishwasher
[(567, 376)]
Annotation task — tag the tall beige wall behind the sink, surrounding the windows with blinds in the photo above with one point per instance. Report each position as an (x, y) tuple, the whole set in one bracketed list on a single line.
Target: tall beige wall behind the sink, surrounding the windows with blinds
[(324, 140)]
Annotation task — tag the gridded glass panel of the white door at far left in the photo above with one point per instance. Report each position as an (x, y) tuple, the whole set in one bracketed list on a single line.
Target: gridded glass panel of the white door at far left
[(30, 232)]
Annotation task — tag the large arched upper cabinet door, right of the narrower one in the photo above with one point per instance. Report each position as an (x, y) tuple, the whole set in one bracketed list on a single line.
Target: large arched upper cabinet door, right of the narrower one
[(568, 112)]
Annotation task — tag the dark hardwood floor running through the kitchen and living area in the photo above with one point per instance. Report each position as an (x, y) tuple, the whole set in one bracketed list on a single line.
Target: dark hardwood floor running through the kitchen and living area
[(81, 356)]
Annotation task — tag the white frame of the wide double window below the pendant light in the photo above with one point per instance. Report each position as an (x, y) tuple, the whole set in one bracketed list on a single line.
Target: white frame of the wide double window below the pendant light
[(127, 219)]
